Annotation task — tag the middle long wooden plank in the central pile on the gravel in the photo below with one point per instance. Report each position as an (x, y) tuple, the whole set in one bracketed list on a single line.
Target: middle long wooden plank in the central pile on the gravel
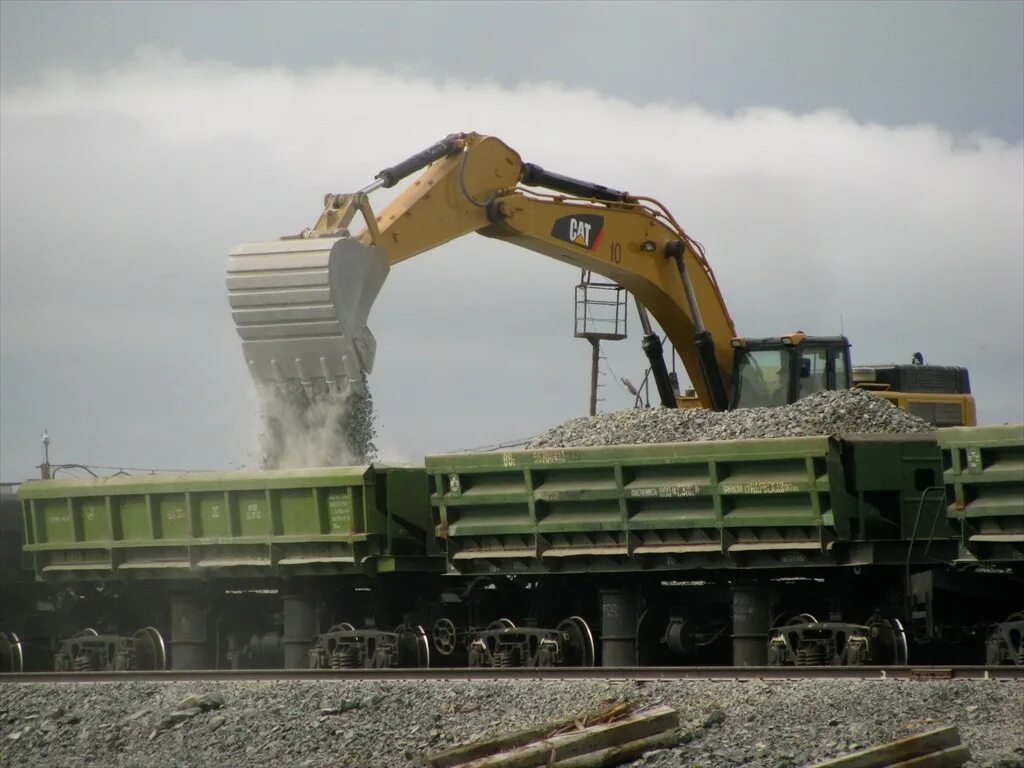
[(549, 751)]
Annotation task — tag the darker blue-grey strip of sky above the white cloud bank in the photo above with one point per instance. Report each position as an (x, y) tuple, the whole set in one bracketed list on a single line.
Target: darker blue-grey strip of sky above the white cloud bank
[(958, 65)]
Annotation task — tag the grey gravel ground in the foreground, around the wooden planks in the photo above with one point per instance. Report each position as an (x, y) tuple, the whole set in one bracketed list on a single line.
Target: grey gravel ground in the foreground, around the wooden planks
[(362, 724)]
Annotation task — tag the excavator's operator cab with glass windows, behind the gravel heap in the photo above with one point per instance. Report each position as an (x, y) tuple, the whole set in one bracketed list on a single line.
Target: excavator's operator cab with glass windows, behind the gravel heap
[(778, 371)]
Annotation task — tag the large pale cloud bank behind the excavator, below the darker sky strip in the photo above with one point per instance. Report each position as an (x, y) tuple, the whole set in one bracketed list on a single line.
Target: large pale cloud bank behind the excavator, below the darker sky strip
[(123, 191)]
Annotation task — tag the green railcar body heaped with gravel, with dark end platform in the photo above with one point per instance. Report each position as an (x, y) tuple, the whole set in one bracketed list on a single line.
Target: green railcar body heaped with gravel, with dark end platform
[(770, 503)]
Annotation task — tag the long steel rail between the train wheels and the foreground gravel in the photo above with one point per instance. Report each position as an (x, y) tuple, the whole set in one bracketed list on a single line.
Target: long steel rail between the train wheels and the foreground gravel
[(724, 674)]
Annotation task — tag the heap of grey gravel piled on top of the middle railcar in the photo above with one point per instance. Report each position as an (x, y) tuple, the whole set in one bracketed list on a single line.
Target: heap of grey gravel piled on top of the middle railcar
[(826, 413)]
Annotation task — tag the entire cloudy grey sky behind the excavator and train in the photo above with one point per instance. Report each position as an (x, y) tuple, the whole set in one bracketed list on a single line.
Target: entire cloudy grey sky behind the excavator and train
[(856, 167)]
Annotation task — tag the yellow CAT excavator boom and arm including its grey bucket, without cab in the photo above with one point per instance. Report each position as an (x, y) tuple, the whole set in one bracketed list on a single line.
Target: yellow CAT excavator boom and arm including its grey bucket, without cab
[(475, 184)]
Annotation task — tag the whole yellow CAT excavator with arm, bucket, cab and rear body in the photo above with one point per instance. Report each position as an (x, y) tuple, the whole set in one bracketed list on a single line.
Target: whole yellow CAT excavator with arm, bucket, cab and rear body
[(302, 304)]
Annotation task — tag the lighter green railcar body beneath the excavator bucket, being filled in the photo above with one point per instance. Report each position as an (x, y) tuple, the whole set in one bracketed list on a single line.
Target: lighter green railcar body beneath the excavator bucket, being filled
[(283, 523)]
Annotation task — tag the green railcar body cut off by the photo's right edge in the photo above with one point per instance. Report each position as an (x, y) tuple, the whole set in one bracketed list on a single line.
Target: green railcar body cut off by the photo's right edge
[(985, 477)]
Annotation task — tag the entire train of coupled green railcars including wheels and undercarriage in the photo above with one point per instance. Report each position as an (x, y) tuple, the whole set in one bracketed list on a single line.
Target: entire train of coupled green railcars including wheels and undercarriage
[(632, 554)]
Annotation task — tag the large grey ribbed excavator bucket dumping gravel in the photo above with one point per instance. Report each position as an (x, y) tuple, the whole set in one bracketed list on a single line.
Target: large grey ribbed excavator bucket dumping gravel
[(301, 307)]
